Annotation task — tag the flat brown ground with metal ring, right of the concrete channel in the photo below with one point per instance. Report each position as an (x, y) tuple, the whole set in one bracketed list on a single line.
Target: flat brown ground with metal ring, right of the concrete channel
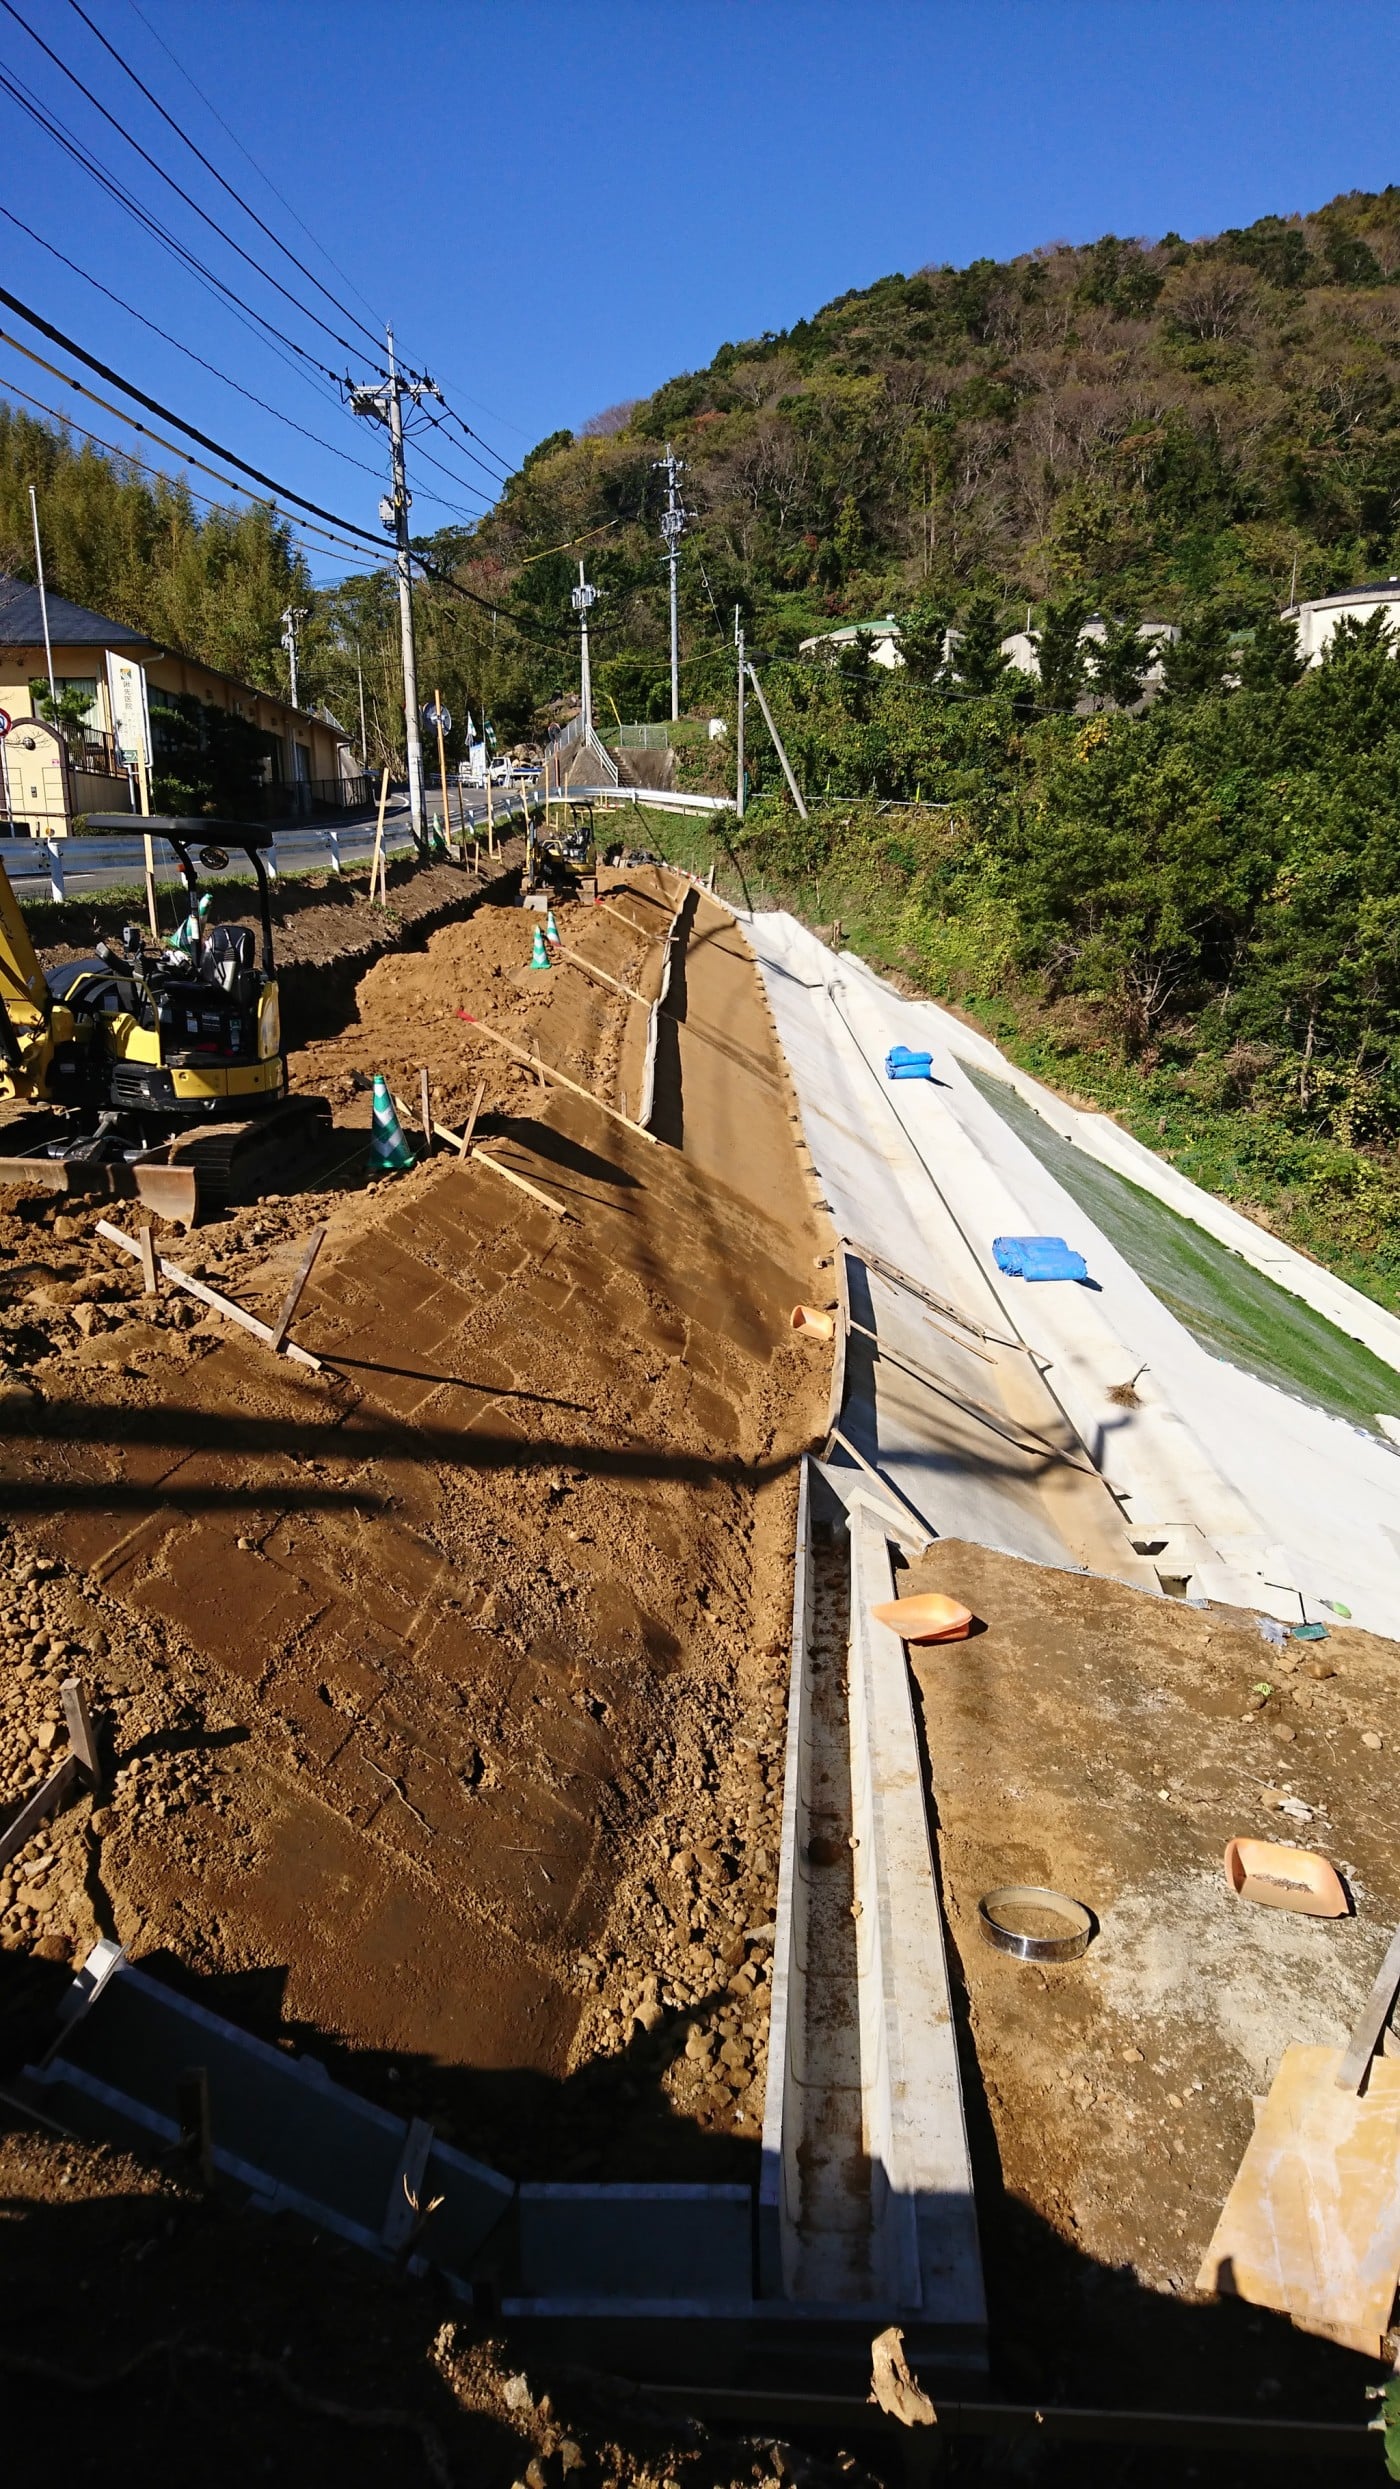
[(1107, 1746)]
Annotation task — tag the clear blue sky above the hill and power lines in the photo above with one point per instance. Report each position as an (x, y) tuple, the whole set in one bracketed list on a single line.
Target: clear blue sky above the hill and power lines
[(564, 203)]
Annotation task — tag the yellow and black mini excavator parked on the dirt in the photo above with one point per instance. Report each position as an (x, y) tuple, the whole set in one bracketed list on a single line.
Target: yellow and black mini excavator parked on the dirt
[(148, 1069)]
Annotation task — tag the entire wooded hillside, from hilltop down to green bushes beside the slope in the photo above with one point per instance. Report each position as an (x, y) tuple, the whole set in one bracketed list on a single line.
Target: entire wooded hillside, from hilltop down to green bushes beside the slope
[(1190, 915)]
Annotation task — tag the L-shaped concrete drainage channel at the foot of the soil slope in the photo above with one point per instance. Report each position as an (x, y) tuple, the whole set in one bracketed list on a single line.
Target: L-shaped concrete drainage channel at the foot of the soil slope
[(863, 2211)]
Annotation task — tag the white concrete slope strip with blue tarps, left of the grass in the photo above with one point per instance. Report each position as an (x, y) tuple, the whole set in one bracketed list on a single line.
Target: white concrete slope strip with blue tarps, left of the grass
[(1244, 1492)]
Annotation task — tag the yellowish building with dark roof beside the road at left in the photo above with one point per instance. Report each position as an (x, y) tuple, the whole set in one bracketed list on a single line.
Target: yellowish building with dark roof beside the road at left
[(138, 721)]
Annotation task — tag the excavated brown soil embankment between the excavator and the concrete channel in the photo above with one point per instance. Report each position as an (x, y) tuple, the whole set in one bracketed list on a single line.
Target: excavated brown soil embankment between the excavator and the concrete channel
[(462, 1664)]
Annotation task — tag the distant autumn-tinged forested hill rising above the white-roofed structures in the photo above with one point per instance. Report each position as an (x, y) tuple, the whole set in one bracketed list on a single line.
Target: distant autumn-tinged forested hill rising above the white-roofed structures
[(1160, 427)]
